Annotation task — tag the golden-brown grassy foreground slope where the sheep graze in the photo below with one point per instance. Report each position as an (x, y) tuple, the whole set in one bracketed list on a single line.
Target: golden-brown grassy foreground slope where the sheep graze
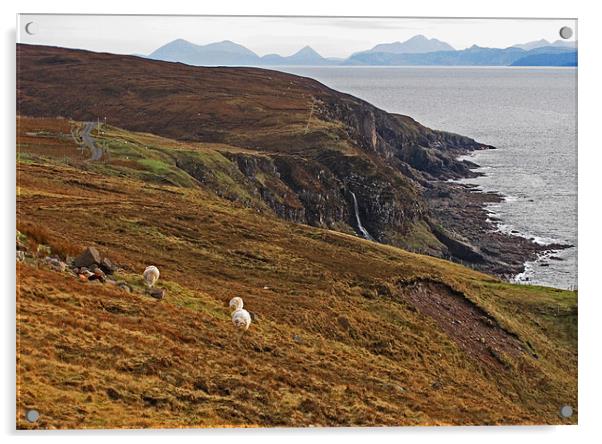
[(347, 332)]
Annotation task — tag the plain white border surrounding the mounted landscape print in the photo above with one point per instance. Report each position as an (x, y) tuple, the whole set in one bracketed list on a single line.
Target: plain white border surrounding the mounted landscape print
[(590, 162)]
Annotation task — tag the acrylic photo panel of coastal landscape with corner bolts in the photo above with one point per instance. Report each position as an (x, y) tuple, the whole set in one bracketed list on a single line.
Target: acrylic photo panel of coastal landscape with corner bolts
[(295, 221)]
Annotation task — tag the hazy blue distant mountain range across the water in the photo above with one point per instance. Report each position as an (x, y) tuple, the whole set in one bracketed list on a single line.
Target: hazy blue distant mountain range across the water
[(419, 50)]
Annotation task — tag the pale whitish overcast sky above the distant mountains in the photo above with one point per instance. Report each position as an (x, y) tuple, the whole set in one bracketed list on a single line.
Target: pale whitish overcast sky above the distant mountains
[(330, 36)]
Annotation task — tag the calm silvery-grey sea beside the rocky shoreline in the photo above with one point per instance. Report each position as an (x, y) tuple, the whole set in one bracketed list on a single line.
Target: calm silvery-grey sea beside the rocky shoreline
[(529, 114)]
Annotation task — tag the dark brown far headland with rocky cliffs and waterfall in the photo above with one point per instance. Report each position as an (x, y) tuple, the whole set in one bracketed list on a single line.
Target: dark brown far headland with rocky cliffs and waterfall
[(306, 151)]
